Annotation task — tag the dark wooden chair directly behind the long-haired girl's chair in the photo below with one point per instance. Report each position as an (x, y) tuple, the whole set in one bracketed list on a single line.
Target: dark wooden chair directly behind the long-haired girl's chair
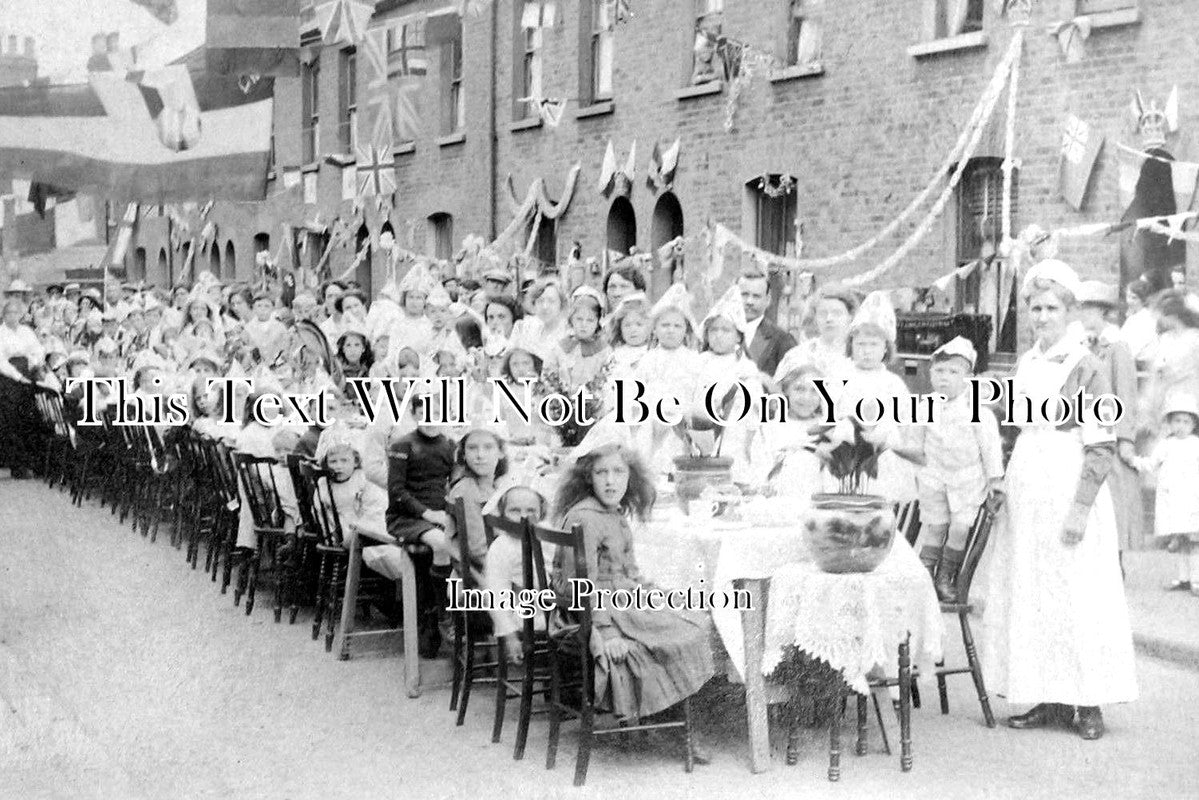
[(534, 647)]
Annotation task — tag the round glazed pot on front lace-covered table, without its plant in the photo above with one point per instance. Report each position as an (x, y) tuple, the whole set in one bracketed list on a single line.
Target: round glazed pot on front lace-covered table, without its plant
[(849, 533)]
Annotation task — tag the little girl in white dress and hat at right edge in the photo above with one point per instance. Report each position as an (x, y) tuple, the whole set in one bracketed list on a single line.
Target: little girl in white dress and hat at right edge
[(1176, 460)]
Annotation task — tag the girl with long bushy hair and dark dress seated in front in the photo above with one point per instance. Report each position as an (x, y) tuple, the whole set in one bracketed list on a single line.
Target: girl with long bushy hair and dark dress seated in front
[(648, 661)]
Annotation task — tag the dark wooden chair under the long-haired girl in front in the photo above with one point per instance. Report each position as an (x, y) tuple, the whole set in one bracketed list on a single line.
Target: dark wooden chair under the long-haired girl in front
[(575, 645)]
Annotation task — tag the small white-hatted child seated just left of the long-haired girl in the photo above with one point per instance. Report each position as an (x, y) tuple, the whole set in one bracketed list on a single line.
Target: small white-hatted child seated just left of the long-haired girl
[(503, 568)]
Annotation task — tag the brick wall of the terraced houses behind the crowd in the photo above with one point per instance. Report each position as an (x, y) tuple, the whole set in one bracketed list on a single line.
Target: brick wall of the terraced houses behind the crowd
[(863, 137)]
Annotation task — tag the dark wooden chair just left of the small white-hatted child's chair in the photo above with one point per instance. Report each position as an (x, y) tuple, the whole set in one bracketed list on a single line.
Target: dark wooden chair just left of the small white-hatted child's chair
[(472, 630)]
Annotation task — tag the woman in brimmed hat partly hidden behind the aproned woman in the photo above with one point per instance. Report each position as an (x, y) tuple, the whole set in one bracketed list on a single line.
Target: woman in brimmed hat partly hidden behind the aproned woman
[(1096, 300)]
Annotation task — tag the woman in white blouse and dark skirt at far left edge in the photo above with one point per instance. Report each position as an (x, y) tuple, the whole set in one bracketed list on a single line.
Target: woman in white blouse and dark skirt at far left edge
[(22, 359)]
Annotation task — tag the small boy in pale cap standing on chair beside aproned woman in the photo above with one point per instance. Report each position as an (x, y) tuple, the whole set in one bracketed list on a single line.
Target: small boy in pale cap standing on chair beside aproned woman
[(963, 464)]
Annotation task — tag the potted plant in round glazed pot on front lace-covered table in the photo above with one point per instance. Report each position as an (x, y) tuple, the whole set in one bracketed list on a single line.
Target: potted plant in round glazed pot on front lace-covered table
[(849, 531)]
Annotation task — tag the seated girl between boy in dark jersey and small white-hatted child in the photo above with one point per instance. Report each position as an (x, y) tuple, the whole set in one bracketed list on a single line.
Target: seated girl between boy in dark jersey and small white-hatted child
[(481, 460)]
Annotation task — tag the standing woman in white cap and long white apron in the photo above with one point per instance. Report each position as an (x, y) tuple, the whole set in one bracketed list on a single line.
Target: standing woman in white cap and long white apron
[(1056, 629)]
